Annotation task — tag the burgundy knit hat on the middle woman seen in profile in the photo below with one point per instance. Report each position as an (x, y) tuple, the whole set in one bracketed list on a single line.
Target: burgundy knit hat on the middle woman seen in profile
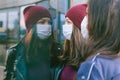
[(76, 14)]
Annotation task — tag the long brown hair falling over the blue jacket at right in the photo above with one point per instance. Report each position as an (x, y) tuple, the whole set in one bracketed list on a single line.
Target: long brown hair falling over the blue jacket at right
[(104, 28)]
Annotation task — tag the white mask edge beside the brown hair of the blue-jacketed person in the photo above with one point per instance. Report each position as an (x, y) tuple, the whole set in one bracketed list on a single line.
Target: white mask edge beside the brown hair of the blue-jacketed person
[(84, 30)]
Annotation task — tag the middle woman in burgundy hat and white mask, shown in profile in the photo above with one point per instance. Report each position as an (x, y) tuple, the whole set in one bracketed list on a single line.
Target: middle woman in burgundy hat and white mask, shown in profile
[(69, 61)]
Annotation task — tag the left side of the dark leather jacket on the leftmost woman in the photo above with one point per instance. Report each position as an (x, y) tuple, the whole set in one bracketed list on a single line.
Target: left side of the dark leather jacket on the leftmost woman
[(15, 63)]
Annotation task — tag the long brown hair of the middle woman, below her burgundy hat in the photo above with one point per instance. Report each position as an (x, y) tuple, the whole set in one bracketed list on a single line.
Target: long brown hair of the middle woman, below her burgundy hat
[(71, 52)]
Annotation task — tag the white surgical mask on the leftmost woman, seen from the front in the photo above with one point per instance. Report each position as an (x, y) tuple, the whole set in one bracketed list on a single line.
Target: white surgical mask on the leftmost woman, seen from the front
[(43, 31)]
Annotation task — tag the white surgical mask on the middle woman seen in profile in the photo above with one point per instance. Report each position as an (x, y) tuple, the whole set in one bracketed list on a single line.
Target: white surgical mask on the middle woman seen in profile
[(67, 31)]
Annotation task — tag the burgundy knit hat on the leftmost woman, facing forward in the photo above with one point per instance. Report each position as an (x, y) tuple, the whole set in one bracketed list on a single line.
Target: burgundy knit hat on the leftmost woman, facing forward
[(33, 13)]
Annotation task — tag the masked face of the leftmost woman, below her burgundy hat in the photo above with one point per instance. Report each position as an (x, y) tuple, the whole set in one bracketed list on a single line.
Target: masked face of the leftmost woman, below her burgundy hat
[(43, 28)]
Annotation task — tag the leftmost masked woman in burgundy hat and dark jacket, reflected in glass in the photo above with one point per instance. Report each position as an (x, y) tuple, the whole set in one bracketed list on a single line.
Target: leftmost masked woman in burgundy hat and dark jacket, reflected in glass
[(30, 58)]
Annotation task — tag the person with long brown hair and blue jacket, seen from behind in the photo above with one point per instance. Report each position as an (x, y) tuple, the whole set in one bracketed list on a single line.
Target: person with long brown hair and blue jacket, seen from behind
[(102, 50)]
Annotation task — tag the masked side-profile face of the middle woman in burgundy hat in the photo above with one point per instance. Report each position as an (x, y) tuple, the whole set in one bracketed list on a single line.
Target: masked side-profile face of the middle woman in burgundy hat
[(67, 28)]
